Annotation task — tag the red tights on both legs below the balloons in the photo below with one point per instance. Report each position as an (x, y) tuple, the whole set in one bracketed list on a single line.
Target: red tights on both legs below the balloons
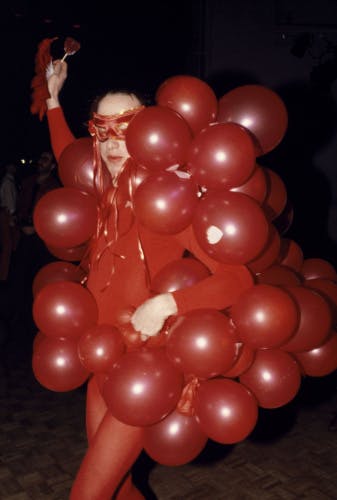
[(113, 449)]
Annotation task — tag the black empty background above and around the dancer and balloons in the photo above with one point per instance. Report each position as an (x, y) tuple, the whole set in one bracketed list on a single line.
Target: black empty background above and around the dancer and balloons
[(289, 46)]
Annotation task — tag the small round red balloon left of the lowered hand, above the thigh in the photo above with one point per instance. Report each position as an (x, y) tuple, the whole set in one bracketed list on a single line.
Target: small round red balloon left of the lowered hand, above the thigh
[(100, 347)]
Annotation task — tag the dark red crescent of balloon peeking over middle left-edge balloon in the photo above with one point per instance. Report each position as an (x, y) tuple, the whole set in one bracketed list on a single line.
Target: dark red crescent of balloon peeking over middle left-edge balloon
[(56, 271)]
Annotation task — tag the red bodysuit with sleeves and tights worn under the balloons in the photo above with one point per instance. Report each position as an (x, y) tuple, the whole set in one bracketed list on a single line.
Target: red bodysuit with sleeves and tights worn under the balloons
[(119, 280)]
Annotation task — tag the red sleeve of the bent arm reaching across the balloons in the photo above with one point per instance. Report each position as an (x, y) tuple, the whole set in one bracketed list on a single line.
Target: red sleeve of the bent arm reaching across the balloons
[(218, 291)]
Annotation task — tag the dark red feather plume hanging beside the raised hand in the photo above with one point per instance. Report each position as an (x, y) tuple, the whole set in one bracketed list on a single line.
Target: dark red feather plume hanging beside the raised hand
[(39, 82)]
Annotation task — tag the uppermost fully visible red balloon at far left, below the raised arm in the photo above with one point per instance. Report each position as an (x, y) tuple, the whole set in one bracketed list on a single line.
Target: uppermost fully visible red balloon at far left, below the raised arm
[(65, 217)]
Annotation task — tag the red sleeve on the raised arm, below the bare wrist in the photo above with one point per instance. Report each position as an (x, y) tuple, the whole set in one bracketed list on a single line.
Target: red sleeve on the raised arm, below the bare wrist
[(60, 134)]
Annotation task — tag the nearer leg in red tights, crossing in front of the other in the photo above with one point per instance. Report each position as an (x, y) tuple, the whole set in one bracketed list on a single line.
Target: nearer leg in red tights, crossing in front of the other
[(111, 454)]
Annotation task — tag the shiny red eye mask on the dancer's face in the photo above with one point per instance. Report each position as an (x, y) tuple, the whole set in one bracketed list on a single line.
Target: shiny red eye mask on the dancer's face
[(112, 126)]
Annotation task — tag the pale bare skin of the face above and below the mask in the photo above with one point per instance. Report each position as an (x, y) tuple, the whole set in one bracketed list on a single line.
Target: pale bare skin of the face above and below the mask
[(113, 149)]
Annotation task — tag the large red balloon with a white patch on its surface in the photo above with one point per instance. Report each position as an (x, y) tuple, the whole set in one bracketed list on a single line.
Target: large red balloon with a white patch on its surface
[(230, 227)]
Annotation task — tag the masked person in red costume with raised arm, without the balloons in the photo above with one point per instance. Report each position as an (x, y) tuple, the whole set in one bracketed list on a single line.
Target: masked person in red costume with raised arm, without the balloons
[(118, 280)]
